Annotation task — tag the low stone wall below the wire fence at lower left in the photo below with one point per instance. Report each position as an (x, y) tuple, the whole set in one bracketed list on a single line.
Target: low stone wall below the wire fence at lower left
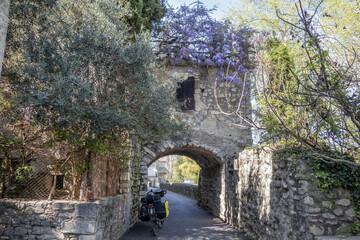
[(108, 218)]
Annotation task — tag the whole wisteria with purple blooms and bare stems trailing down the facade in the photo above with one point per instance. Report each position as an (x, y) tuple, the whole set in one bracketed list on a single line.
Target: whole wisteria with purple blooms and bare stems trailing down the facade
[(190, 34)]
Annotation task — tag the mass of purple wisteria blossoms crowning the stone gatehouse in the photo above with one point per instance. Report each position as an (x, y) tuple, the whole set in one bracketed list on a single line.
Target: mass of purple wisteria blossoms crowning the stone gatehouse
[(190, 33)]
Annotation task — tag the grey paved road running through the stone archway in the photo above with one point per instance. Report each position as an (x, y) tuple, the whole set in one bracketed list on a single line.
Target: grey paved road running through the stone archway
[(186, 221)]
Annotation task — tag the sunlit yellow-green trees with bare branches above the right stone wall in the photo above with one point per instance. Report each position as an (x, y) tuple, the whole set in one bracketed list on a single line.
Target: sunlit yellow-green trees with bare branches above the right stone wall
[(307, 76)]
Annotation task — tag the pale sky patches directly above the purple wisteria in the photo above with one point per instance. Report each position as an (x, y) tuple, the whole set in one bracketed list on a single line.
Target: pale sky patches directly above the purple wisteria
[(222, 5)]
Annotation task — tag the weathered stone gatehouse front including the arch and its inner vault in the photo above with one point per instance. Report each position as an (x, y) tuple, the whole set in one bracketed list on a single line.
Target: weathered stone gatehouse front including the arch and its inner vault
[(212, 136)]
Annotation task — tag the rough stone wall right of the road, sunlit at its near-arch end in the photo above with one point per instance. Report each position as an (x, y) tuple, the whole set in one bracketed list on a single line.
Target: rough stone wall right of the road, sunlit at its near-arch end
[(273, 201)]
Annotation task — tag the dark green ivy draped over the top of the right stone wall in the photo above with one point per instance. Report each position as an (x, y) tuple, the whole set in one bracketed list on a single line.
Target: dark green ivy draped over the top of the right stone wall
[(329, 175)]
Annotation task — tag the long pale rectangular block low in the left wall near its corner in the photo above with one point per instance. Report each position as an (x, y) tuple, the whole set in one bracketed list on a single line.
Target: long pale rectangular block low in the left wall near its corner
[(79, 227)]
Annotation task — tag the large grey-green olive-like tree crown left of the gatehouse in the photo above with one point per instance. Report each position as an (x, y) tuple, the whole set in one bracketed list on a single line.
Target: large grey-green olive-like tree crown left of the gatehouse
[(81, 78)]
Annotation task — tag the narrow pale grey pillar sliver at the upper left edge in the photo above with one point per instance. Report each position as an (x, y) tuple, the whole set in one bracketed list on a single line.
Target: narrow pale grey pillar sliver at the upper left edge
[(4, 17)]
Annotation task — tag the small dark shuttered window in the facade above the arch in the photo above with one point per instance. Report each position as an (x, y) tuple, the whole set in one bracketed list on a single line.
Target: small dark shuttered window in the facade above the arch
[(185, 94)]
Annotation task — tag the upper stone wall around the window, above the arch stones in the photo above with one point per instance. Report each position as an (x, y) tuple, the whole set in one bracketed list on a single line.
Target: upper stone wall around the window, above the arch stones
[(209, 127)]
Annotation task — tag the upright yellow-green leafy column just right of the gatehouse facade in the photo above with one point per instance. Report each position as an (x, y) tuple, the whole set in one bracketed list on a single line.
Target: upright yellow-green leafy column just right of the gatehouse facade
[(273, 112)]
